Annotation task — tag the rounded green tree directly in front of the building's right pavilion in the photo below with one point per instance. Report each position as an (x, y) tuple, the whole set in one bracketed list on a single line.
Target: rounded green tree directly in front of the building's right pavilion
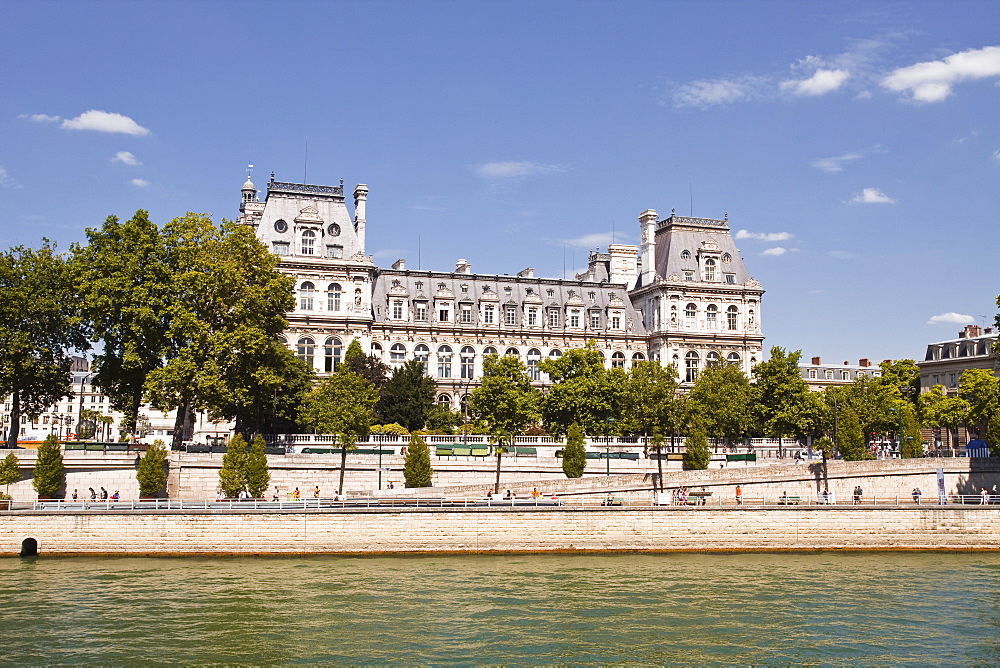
[(723, 399)]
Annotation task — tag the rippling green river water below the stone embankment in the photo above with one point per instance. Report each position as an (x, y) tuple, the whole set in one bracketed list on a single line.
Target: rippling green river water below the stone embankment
[(861, 608)]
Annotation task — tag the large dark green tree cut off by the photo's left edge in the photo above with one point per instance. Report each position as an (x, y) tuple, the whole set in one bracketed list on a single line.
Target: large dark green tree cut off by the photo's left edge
[(39, 326)]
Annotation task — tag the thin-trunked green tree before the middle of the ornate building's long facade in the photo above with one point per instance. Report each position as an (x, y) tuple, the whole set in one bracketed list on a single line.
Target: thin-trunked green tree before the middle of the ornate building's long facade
[(505, 401)]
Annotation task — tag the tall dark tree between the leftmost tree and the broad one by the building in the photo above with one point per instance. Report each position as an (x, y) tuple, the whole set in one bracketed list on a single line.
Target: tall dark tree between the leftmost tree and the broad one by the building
[(125, 290)]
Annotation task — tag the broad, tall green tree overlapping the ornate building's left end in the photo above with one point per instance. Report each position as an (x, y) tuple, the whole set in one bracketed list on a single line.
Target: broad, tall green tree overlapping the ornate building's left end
[(228, 303)]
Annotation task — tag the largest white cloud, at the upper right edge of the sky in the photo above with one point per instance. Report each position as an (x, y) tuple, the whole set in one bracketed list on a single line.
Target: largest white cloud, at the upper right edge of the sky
[(932, 81)]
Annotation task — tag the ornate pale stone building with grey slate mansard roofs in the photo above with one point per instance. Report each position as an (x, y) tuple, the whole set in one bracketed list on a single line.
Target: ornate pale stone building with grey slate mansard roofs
[(688, 300)]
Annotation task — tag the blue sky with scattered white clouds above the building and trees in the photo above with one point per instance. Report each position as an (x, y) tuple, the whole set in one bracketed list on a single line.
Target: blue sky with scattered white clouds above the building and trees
[(855, 146)]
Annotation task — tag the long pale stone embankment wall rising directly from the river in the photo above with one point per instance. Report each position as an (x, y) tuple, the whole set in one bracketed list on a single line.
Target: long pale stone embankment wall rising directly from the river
[(500, 530)]
